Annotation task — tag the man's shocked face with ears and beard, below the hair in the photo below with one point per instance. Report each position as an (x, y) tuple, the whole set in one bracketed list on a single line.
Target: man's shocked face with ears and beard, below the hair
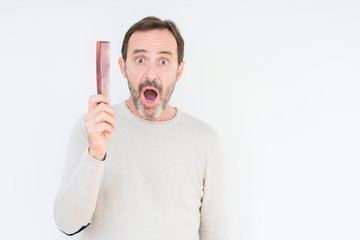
[(152, 70)]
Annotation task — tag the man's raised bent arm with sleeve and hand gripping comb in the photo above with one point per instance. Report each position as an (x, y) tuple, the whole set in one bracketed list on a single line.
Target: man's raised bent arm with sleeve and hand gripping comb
[(84, 167)]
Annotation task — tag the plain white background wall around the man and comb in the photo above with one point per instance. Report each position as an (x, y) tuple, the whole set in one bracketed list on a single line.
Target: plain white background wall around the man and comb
[(279, 80)]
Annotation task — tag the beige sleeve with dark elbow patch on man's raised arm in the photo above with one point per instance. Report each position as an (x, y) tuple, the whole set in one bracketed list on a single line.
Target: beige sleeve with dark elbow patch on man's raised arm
[(77, 196)]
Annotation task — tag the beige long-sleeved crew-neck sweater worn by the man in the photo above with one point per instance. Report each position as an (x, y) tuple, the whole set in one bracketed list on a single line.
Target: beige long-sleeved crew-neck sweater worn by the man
[(159, 181)]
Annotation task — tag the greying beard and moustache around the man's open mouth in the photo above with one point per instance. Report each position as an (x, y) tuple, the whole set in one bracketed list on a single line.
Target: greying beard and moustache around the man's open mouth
[(164, 98)]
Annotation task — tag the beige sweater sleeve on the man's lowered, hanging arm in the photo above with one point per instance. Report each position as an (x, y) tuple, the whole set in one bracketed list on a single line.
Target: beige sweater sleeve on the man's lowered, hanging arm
[(213, 218)]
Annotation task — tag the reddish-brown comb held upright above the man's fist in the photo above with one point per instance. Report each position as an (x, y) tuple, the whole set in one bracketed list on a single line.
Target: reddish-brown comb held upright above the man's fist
[(103, 67)]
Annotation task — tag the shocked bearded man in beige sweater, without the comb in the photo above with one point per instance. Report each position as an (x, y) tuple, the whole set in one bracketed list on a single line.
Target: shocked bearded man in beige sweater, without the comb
[(143, 169)]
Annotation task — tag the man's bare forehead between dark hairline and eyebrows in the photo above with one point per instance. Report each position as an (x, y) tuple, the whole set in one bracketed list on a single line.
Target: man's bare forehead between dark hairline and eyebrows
[(153, 41)]
